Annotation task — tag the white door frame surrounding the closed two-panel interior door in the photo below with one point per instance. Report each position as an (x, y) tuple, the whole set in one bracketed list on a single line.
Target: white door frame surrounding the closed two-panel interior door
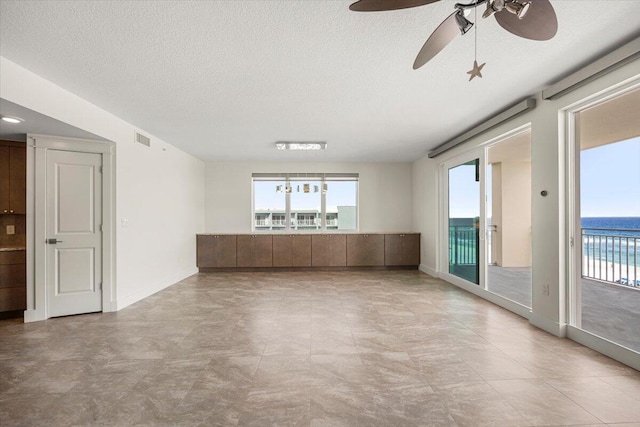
[(37, 146)]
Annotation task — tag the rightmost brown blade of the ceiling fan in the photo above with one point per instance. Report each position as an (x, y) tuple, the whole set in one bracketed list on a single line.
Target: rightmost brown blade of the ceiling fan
[(540, 22)]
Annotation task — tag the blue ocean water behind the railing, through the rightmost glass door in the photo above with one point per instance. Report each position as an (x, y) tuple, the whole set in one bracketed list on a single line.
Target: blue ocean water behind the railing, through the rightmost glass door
[(612, 239)]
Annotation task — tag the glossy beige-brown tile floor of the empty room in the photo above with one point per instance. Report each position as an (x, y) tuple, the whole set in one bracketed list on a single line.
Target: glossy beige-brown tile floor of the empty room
[(321, 349)]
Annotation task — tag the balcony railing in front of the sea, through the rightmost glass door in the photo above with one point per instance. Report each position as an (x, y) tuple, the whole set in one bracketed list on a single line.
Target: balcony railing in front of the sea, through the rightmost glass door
[(611, 255)]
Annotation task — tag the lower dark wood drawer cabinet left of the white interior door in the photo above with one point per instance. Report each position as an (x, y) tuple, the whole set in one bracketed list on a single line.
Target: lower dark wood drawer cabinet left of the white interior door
[(13, 277)]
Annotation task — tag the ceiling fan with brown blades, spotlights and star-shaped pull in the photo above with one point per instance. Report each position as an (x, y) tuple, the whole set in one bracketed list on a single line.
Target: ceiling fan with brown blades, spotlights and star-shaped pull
[(530, 19)]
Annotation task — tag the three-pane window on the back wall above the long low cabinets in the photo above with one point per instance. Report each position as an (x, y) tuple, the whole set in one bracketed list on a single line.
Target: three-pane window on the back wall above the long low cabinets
[(310, 201)]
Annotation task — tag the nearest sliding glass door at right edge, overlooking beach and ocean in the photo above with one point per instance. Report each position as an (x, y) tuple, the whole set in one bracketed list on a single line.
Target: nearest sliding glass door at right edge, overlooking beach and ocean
[(605, 238)]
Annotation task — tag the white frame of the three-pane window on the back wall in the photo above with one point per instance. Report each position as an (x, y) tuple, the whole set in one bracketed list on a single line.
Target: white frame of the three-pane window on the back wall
[(290, 180)]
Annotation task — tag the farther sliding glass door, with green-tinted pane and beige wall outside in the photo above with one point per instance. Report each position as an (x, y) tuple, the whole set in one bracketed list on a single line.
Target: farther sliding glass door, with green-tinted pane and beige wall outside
[(486, 211)]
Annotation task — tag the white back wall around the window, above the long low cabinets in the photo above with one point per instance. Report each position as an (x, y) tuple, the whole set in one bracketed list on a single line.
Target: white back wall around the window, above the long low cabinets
[(384, 193)]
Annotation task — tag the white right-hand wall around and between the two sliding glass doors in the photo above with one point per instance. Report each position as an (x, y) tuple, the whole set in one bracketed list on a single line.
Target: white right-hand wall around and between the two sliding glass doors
[(549, 214)]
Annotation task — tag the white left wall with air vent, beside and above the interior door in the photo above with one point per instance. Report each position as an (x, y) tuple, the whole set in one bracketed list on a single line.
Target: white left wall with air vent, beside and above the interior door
[(159, 190)]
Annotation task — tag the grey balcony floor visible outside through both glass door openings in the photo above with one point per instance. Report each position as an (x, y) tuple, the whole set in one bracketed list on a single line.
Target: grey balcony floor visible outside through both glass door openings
[(609, 311)]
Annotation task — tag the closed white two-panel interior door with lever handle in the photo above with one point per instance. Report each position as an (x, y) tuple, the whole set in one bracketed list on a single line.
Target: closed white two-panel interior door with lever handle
[(74, 237)]
